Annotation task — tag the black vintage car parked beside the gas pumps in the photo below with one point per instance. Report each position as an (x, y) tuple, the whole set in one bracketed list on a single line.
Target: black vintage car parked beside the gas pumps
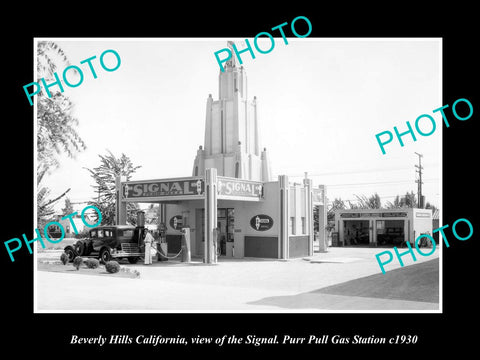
[(108, 242)]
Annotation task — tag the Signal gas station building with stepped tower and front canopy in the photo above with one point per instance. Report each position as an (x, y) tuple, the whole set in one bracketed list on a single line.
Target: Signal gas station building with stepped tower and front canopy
[(231, 202)]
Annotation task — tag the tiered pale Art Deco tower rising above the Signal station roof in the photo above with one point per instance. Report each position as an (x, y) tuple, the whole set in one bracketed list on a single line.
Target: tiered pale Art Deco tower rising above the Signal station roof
[(231, 130)]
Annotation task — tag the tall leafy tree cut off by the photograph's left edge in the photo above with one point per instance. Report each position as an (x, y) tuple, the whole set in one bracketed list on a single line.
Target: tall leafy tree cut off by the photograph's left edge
[(56, 132)]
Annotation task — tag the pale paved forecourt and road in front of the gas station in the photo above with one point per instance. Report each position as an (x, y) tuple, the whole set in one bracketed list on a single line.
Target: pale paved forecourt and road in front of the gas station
[(250, 285)]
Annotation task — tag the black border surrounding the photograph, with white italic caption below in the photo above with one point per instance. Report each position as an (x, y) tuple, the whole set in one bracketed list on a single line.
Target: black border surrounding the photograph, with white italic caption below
[(49, 334)]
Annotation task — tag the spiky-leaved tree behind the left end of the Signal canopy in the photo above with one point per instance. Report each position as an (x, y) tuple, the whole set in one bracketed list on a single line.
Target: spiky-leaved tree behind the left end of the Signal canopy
[(105, 190)]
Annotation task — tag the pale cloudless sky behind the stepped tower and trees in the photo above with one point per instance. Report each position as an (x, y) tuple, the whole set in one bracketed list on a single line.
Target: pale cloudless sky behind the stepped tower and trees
[(320, 103)]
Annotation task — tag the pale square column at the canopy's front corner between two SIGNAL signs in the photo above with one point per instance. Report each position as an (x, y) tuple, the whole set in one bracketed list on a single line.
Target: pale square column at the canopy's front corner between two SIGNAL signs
[(210, 215)]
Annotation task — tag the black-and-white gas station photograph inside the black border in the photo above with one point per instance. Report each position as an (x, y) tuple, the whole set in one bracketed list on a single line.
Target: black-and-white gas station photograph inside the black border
[(255, 175)]
